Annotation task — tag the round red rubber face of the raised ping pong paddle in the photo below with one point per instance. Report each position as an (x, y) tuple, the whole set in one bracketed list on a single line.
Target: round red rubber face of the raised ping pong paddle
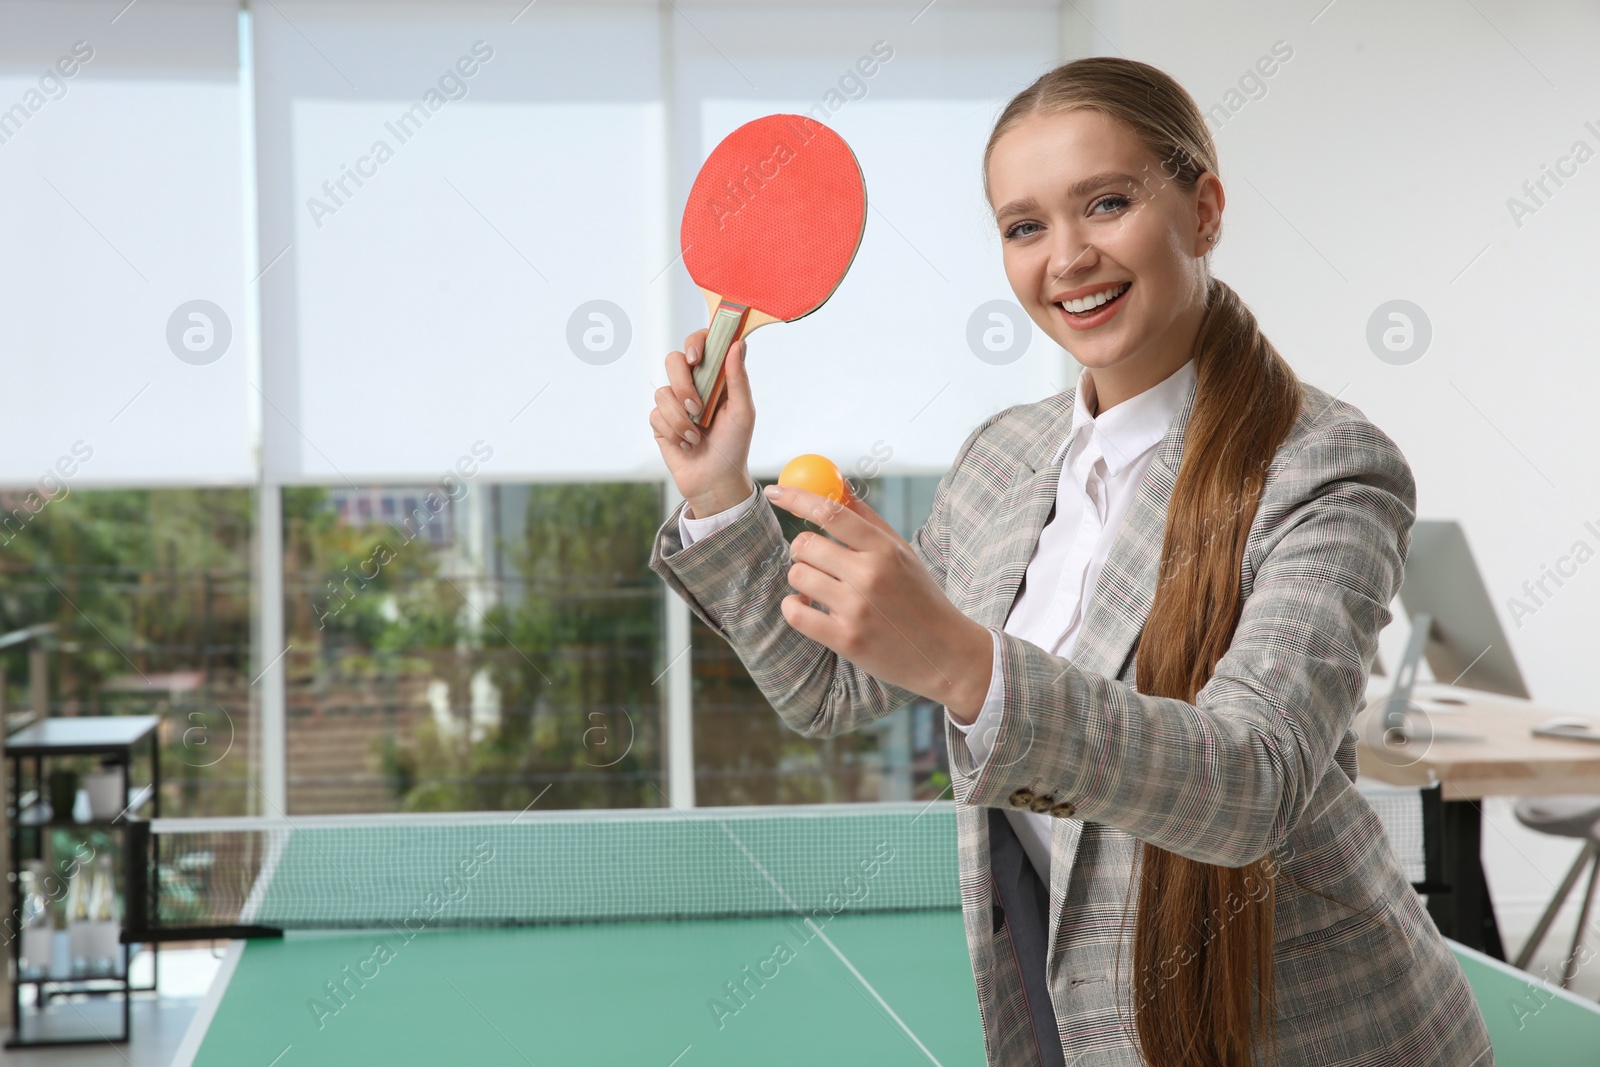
[(775, 217)]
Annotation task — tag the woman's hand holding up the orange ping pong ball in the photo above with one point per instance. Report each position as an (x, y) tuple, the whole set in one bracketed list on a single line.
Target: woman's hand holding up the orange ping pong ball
[(886, 613)]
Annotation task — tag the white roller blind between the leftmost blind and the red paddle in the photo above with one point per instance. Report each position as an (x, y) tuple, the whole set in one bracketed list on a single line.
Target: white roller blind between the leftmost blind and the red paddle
[(454, 196)]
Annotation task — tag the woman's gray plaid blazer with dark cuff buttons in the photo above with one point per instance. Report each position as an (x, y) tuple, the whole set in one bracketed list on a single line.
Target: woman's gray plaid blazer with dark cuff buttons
[(1263, 764)]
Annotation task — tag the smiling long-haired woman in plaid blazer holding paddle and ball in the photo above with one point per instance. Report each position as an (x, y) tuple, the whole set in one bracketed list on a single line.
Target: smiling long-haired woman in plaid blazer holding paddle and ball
[(1150, 607)]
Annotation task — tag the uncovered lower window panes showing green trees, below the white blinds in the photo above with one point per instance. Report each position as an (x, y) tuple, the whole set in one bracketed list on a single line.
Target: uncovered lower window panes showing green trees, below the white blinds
[(474, 652)]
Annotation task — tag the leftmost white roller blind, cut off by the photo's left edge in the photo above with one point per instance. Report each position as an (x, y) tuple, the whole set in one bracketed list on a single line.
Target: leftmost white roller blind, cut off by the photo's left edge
[(121, 172)]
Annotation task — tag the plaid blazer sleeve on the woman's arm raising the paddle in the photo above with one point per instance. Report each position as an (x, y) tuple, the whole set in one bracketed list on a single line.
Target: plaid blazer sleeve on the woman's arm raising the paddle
[(735, 581)]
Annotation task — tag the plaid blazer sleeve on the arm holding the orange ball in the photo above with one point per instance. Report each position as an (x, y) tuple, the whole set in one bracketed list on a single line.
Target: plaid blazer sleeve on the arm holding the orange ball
[(1225, 780)]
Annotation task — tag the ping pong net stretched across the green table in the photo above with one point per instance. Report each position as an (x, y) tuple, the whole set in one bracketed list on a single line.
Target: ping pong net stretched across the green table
[(260, 877)]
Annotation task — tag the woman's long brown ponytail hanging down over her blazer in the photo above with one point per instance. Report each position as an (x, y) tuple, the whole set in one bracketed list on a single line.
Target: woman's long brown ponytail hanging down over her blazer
[(1220, 919)]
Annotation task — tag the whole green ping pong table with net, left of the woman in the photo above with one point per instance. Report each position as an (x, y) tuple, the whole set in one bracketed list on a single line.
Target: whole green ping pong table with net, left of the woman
[(799, 935)]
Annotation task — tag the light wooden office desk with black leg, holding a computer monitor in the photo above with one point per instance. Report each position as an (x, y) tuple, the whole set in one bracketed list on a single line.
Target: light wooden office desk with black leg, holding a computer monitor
[(1511, 762)]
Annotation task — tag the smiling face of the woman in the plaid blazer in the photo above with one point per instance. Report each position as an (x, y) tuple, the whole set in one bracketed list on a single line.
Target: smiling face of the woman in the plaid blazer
[(1084, 210)]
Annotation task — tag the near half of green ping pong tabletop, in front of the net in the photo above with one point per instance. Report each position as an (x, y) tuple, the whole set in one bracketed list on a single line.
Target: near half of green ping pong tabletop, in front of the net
[(889, 989)]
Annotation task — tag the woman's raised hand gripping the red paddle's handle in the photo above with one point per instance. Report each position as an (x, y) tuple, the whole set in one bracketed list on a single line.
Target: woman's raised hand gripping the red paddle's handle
[(708, 466)]
